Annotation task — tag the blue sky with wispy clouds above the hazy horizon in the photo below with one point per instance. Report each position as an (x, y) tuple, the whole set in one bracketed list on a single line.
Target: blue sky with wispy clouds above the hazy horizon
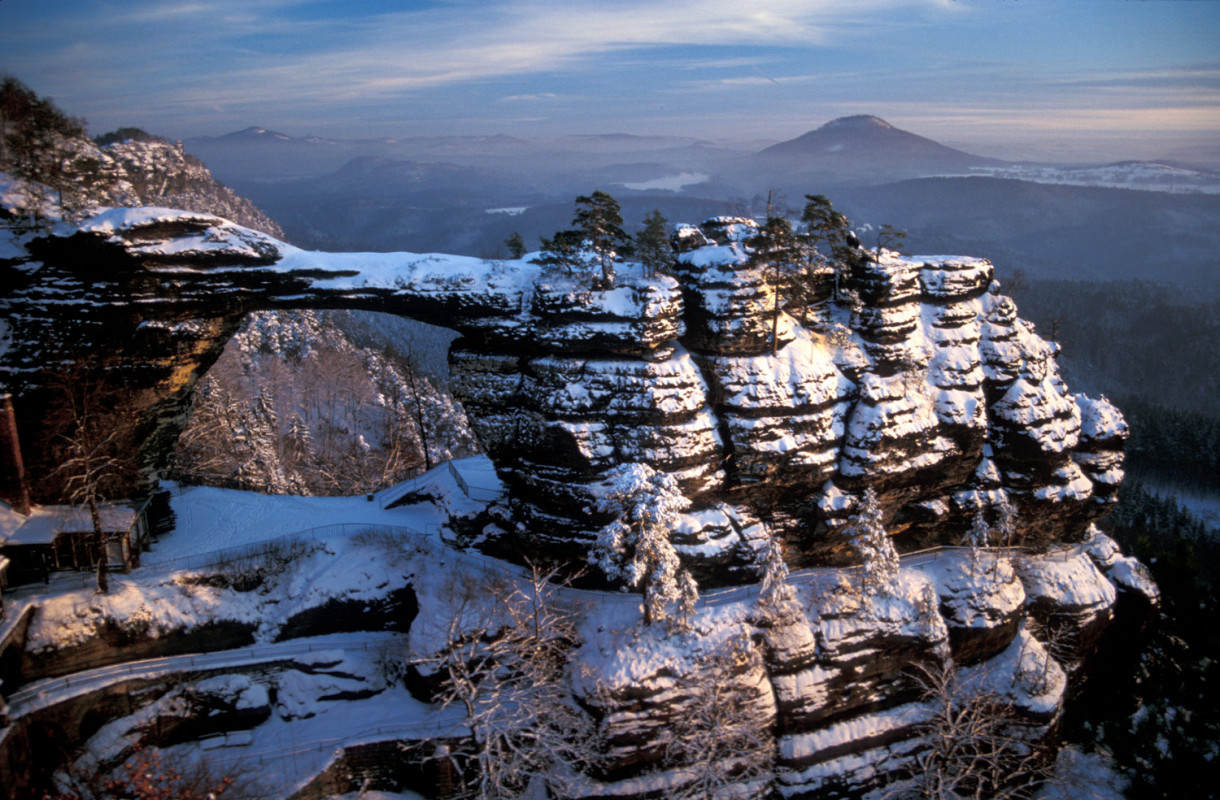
[(988, 75)]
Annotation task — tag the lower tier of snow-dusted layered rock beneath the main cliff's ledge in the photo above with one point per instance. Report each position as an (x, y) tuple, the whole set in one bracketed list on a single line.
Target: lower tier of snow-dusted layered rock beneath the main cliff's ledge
[(849, 682)]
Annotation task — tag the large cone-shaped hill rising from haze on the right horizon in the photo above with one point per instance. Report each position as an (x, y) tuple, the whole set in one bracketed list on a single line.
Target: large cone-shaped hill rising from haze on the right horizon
[(863, 149)]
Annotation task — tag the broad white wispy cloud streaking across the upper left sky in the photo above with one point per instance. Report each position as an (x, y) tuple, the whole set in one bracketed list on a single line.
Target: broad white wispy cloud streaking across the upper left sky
[(467, 41)]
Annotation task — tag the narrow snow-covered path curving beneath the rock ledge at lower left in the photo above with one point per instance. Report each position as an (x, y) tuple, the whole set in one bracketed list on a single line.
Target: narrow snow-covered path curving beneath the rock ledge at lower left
[(53, 691)]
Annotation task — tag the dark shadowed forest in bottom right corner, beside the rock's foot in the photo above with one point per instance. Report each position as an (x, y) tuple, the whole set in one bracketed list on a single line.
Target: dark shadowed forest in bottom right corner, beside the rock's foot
[(1147, 701)]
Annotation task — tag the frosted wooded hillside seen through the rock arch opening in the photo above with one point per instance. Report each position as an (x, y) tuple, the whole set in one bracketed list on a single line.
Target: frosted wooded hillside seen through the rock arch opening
[(295, 407)]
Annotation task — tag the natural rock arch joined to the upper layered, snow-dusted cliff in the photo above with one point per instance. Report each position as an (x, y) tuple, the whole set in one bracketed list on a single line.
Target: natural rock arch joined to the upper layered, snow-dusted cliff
[(917, 377)]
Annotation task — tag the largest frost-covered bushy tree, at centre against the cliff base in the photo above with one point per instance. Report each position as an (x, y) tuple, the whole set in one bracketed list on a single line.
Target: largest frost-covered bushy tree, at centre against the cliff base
[(636, 546)]
